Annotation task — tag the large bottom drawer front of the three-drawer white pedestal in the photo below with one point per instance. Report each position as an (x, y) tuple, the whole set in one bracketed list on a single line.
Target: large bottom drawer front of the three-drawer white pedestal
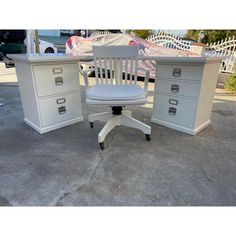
[(180, 111)]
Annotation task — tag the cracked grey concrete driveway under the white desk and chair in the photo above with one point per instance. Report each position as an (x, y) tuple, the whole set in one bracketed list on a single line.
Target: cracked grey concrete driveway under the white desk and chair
[(67, 167)]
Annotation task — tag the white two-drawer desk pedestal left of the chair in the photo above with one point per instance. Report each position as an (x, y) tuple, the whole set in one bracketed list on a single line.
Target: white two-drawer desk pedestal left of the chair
[(49, 89)]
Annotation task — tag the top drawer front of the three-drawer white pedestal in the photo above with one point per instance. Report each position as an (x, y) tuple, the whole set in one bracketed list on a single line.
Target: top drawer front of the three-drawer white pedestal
[(180, 72)]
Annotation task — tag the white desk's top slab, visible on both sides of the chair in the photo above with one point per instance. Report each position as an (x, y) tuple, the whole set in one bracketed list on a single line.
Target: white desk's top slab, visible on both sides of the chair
[(56, 57)]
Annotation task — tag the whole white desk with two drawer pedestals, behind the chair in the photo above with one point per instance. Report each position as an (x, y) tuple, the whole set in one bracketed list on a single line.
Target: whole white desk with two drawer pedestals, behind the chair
[(50, 90)]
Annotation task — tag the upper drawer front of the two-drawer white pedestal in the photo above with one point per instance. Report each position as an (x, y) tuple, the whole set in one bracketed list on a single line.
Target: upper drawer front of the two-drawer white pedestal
[(55, 79)]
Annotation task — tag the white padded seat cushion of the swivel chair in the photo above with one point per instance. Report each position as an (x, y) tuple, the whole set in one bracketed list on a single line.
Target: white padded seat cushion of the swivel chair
[(108, 92)]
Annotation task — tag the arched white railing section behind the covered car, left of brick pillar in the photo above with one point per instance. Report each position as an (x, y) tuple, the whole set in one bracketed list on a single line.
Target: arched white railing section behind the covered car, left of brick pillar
[(170, 41)]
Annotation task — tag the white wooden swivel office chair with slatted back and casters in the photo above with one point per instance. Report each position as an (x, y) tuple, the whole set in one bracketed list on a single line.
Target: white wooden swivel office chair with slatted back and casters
[(116, 86)]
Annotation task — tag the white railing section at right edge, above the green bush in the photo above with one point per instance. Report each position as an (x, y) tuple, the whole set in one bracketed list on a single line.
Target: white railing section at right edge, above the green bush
[(227, 49)]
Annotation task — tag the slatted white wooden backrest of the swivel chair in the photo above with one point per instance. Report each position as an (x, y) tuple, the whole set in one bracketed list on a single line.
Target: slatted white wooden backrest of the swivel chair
[(116, 64)]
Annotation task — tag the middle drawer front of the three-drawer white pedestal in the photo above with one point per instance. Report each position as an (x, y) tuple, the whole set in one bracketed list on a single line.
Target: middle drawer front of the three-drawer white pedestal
[(178, 87)]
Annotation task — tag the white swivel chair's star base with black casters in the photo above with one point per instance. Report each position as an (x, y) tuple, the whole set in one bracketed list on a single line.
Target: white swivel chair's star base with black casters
[(117, 118)]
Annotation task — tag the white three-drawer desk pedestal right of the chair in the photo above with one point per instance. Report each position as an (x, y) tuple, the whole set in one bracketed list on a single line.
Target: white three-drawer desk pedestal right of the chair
[(184, 92)]
